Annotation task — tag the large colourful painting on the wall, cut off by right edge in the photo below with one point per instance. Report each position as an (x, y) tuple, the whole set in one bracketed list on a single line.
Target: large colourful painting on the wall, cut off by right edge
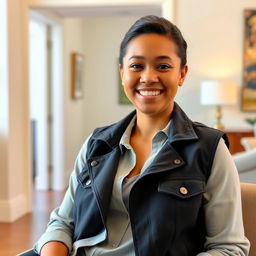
[(249, 62)]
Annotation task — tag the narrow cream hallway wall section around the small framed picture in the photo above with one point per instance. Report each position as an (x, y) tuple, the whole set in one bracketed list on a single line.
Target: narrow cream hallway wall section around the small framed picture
[(74, 117)]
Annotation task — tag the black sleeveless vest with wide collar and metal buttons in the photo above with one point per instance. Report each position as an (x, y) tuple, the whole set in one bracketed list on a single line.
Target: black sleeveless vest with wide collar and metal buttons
[(166, 202)]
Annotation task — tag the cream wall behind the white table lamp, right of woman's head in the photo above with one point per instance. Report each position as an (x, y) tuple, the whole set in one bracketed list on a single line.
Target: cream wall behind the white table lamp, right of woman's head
[(214, 32)]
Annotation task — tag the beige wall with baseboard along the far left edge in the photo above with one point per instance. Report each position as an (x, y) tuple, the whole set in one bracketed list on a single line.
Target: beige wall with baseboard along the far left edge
[(14, 129)]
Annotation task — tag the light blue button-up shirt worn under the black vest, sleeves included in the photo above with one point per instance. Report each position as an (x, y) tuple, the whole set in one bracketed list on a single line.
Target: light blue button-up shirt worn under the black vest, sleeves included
[(225, 234)]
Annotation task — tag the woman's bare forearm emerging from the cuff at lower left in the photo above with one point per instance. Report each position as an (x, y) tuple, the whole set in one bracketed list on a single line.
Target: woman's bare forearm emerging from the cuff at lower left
[(54, 249)]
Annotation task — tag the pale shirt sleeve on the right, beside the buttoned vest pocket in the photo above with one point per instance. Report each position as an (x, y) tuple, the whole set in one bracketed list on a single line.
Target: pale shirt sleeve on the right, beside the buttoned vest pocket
[(223, 210)]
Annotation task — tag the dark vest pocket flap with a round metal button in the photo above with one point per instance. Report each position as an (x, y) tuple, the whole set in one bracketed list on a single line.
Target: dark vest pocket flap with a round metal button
[(182, 188)]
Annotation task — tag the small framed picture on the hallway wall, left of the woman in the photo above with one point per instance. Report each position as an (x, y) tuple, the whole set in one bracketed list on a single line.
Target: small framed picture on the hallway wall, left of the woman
[(77, 69)]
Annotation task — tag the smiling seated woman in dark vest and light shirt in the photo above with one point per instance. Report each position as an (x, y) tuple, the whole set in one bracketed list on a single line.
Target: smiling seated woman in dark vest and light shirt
[(155, 183)]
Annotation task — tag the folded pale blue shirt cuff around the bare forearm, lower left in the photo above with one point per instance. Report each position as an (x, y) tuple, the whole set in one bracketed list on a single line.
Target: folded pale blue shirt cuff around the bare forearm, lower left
[(57, 236)]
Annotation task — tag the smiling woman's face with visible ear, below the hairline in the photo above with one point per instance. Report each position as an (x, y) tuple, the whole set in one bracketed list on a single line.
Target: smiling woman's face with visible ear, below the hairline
[(151, 73)]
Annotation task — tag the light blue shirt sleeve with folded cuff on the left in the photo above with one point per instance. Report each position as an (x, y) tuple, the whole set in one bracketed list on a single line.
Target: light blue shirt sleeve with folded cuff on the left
[(61, 224)]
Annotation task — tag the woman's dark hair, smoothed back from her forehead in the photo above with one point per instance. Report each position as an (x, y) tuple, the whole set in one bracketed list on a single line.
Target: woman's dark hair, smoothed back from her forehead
[(158, 25)]
